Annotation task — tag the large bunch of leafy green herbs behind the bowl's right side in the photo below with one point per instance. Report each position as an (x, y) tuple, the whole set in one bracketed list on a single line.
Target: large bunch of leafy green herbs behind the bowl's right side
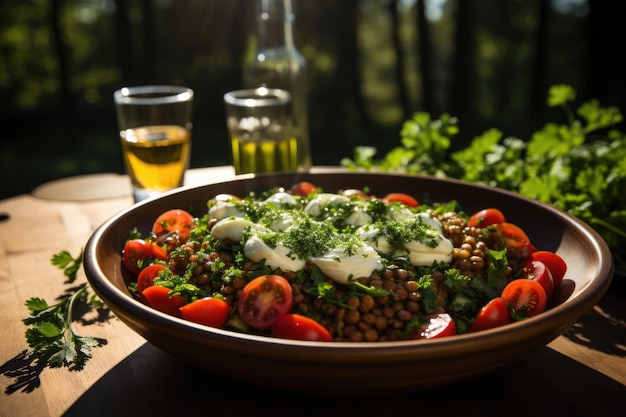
[(578, 165)]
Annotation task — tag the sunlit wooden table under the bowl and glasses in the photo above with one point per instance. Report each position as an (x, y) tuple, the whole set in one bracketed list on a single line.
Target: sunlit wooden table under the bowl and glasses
[(581, 373)]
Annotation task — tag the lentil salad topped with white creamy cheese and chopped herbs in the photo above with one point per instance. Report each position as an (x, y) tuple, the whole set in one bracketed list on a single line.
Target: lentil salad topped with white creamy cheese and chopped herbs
[(453, 268)]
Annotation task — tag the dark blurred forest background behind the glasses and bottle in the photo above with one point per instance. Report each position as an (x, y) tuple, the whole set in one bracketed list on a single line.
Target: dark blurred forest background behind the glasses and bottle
[(60, 62)]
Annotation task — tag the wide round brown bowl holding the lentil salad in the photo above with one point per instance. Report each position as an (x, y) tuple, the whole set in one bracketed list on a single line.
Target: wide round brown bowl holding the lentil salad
[(358, 368)]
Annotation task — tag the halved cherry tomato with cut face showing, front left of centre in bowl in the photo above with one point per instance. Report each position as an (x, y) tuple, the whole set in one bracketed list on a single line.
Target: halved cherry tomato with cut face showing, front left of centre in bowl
[(263, 299)]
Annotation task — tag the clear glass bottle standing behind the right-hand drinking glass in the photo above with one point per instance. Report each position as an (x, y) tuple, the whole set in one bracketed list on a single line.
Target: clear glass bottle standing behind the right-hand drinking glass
[(278, 64)]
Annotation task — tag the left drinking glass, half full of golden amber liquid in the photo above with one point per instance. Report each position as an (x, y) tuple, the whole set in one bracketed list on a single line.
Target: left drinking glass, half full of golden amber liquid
[(155, 132)]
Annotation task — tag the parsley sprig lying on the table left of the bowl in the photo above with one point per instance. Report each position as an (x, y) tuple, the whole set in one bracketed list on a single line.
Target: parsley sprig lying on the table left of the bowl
[(50, 334)]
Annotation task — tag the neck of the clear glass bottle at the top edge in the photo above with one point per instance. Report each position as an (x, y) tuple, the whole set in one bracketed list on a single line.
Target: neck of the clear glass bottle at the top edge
[(275, 24)]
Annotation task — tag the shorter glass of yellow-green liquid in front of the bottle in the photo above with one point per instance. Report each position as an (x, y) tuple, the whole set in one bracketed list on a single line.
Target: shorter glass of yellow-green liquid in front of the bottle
[(260, 125)]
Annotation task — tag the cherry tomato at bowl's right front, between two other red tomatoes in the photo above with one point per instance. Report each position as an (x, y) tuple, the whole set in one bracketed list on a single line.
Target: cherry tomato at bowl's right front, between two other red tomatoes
[(524, 298)]
